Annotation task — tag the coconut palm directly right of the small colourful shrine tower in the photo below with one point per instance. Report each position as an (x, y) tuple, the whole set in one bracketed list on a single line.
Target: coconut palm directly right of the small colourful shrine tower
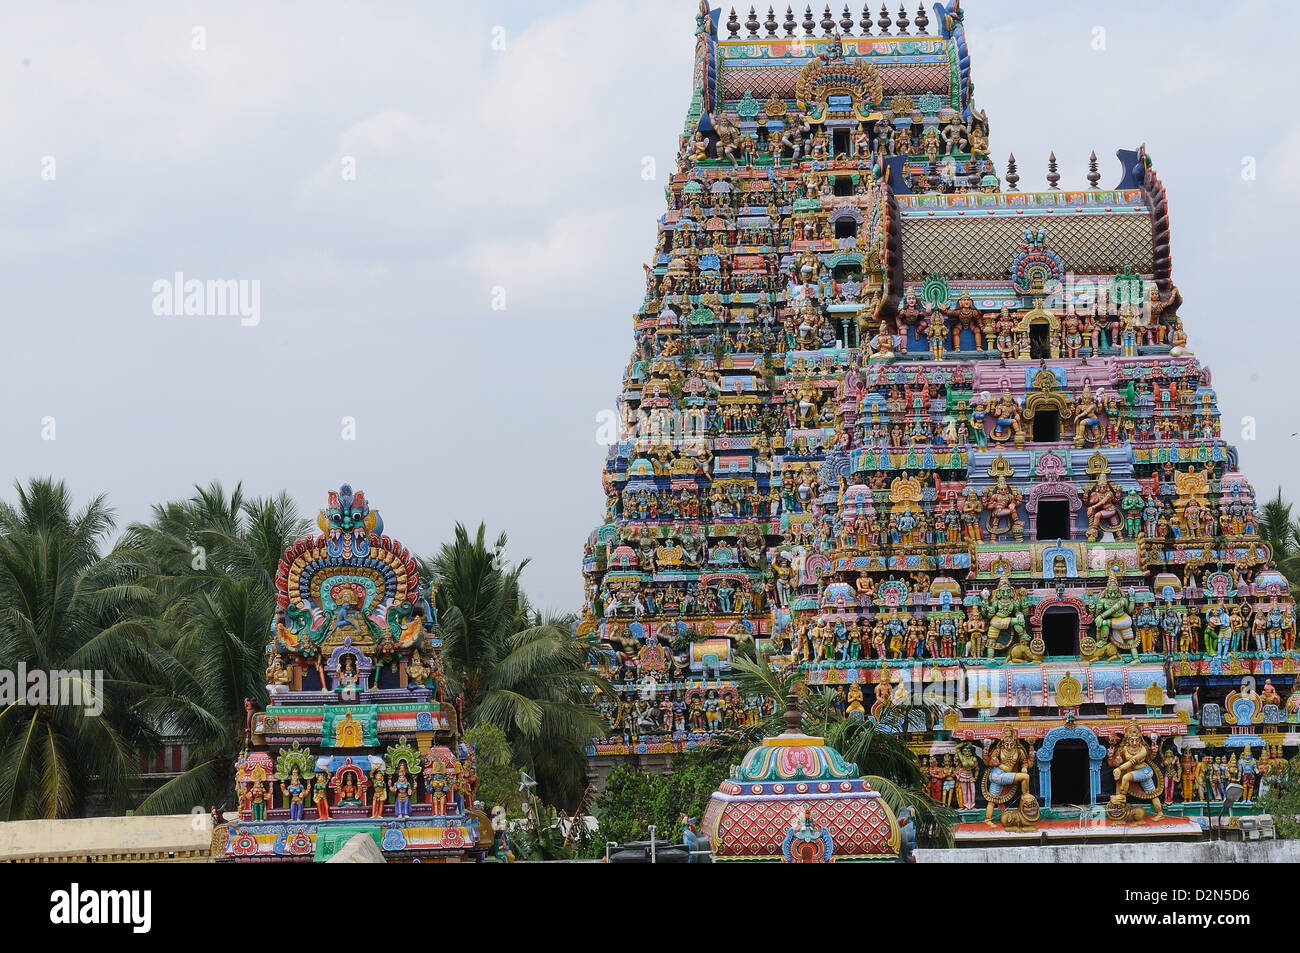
[(512, 666)]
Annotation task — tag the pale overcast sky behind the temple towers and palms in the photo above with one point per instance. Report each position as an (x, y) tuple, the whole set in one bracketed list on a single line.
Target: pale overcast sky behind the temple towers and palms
[(517, 168)]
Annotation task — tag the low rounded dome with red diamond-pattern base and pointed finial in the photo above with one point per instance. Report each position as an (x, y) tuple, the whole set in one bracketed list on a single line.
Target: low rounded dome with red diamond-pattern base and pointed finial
[(795, 799)]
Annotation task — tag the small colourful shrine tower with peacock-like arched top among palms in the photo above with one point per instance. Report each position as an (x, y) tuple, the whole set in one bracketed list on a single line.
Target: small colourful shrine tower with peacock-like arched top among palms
[(357, 738)]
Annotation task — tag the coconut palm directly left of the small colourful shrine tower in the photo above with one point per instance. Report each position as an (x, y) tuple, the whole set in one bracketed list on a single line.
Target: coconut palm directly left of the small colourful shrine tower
[(210, 564)]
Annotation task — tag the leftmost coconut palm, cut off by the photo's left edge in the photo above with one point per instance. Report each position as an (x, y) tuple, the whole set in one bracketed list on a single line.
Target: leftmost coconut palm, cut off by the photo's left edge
[(76, 617)]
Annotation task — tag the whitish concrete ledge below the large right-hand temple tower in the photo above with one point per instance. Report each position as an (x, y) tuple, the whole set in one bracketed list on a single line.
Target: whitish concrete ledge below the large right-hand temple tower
[(1203, 852)]
